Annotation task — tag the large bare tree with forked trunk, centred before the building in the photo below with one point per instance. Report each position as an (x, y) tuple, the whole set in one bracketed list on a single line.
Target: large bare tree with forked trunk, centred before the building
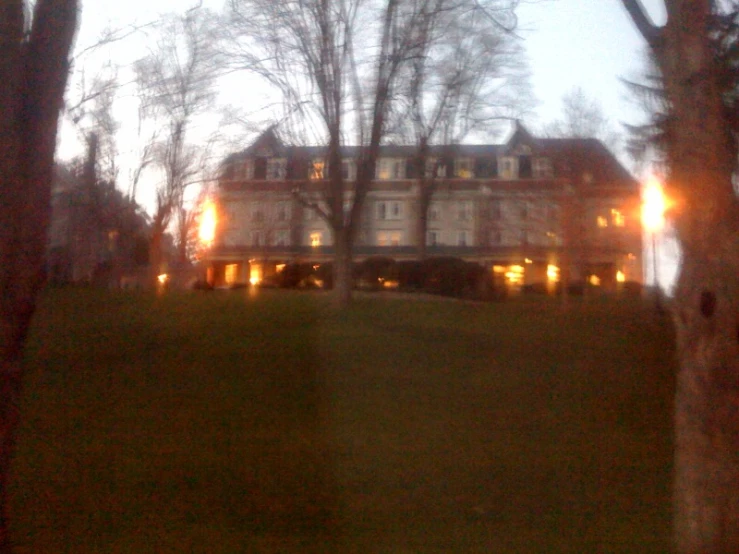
[(332, 89)]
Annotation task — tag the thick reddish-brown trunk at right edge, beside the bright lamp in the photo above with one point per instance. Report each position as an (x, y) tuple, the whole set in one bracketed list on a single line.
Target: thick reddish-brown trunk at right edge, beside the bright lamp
[(701, 160)]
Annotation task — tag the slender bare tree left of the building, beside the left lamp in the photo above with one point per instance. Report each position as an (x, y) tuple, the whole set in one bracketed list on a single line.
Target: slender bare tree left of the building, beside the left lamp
[(175, 82)]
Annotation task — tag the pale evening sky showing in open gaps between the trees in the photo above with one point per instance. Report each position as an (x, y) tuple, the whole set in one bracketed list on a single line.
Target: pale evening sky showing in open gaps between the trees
[(590, 44)]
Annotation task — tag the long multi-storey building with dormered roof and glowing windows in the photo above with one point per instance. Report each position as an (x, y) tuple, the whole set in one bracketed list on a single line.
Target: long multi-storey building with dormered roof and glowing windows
[(523, 209)]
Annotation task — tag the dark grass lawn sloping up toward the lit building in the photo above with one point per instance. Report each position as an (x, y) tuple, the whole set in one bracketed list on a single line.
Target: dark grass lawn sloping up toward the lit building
[(230, 422)]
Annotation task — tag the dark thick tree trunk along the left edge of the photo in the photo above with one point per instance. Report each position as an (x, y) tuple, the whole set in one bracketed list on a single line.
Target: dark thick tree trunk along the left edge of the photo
[(33, 71)]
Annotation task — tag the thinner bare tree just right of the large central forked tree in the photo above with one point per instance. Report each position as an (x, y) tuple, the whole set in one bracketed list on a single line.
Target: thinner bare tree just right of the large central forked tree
[(466, 74)]
